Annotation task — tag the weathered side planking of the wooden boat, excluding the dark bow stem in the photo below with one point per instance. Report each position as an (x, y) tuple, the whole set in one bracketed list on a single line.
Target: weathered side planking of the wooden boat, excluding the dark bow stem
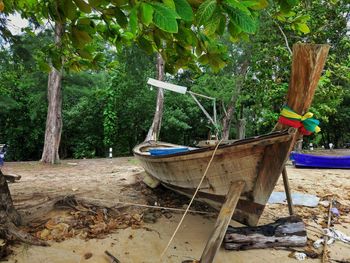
[(231, 163)]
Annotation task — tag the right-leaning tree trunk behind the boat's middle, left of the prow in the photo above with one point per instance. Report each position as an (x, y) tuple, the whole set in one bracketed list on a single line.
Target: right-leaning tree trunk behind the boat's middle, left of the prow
[(226, 122)]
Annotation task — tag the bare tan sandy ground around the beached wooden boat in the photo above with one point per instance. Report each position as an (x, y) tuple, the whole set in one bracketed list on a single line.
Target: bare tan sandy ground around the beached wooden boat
[(110, 181)]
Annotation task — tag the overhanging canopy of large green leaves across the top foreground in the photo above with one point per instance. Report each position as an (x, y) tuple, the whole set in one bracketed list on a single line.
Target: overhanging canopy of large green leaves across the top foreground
[(183, 31)]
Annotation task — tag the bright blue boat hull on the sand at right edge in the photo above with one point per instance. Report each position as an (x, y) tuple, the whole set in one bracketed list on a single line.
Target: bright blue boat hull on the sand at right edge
[(320, 161)]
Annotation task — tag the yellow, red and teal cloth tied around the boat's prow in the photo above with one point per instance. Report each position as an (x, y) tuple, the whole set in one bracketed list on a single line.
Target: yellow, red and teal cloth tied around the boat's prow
[(305, 123)]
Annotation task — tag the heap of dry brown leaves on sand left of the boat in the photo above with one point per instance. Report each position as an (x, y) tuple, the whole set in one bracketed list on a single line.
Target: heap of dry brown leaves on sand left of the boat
[(84, 220)]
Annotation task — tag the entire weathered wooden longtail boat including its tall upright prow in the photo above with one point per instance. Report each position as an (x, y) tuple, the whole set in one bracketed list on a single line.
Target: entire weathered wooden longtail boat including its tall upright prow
[(249, 167)]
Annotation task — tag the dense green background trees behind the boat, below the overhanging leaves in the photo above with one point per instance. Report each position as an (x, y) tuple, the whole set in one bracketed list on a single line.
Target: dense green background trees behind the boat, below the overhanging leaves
[(112, 106)]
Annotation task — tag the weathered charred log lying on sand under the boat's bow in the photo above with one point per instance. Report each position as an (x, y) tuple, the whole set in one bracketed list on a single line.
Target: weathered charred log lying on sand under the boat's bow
[(285, 232)]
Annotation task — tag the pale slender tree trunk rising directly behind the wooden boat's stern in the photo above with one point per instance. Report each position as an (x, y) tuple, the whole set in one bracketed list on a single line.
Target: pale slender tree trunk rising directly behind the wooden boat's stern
[(153, 132)]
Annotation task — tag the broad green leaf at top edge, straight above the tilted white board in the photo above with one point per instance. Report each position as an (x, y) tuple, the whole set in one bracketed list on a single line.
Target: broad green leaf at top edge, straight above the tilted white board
[(165, 18)]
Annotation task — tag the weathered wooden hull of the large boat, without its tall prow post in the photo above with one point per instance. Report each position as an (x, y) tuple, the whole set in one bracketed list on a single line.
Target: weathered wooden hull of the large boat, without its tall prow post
[(257, 161)]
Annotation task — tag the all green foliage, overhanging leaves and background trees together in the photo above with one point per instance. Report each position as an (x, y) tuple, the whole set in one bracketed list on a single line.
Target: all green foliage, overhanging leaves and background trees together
[(112, 106)]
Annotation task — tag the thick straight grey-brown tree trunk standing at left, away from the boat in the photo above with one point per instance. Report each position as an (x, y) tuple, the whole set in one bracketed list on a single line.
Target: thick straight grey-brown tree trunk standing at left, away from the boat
[(54, 112)]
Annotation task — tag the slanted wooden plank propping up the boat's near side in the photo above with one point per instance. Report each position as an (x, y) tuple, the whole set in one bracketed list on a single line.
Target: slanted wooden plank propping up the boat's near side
[(222, 222)]
